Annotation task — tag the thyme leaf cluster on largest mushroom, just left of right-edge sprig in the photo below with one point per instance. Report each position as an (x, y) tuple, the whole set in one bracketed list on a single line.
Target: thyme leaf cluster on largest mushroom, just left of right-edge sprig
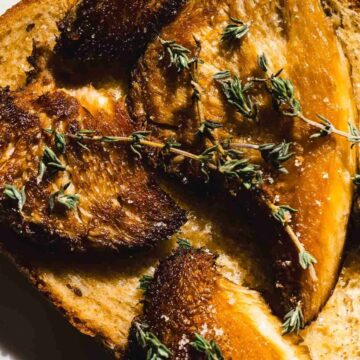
[(237, 95)]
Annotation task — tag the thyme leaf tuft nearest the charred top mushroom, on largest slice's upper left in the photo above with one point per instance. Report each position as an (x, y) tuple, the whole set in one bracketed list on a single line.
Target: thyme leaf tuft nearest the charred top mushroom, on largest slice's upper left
[(178, 55)]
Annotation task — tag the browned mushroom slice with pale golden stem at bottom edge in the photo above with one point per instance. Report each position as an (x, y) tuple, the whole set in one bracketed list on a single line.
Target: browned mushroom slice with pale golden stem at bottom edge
[(188, 296)]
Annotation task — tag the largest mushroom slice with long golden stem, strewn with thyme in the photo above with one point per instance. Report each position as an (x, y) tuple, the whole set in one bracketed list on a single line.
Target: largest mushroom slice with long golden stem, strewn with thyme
[(316, 186)]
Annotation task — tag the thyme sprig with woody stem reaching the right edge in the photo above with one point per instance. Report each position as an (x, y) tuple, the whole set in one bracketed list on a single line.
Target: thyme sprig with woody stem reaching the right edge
[(284, 99)]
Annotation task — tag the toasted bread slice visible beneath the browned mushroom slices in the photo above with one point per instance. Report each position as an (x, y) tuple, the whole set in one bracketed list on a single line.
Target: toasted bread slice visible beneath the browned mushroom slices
[(101, 298)]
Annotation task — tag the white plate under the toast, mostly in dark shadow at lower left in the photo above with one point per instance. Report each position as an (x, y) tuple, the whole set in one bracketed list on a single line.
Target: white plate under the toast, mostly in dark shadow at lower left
[(29, 328)]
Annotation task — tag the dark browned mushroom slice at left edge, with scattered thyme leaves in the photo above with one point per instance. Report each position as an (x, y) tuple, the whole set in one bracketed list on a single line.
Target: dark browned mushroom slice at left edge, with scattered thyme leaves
[(60, 190)]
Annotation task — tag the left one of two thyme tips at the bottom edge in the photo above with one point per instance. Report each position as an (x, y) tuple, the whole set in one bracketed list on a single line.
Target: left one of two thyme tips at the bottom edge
[(155, 349)]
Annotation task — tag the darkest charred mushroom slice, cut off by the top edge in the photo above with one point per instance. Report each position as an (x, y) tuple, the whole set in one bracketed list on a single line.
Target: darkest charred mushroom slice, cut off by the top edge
[(103, 29)]
